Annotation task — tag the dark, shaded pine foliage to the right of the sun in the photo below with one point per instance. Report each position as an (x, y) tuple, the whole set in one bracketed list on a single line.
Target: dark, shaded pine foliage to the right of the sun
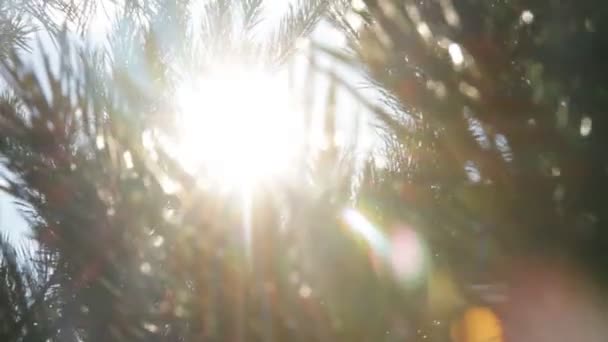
[(503, 163)]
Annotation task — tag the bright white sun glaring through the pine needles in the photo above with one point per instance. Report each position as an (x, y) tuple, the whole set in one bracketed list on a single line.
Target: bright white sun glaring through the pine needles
[(237, 126)]
